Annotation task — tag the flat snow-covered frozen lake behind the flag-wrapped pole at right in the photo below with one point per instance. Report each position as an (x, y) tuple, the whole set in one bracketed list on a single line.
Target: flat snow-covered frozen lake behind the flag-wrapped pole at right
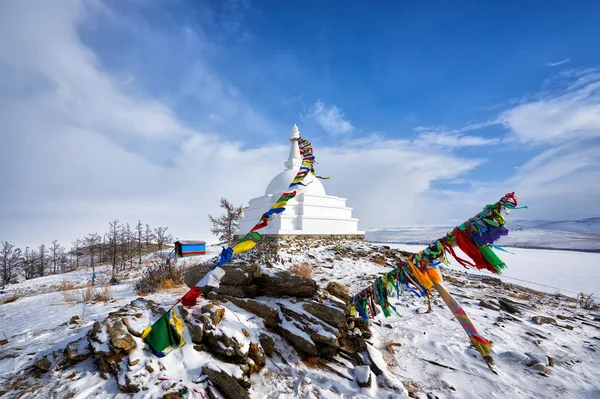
[(545, 270)]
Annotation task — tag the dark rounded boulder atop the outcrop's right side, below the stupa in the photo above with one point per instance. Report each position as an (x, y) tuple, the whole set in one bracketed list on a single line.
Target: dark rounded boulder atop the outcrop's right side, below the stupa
[(285, 283)]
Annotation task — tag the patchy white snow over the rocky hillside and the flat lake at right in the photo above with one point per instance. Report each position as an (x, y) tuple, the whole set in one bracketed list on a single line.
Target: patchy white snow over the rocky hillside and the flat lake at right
[(405, 346)]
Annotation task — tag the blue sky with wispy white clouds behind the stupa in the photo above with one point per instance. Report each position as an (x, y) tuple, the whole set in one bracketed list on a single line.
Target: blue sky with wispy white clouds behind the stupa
[(421, 112)]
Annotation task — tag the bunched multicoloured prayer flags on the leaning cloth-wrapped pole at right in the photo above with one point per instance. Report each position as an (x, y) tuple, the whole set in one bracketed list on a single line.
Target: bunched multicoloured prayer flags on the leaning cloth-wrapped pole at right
[(419, 275)]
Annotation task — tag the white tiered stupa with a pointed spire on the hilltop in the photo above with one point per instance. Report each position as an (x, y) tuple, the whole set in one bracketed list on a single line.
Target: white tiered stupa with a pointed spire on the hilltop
[(311, 212)]
